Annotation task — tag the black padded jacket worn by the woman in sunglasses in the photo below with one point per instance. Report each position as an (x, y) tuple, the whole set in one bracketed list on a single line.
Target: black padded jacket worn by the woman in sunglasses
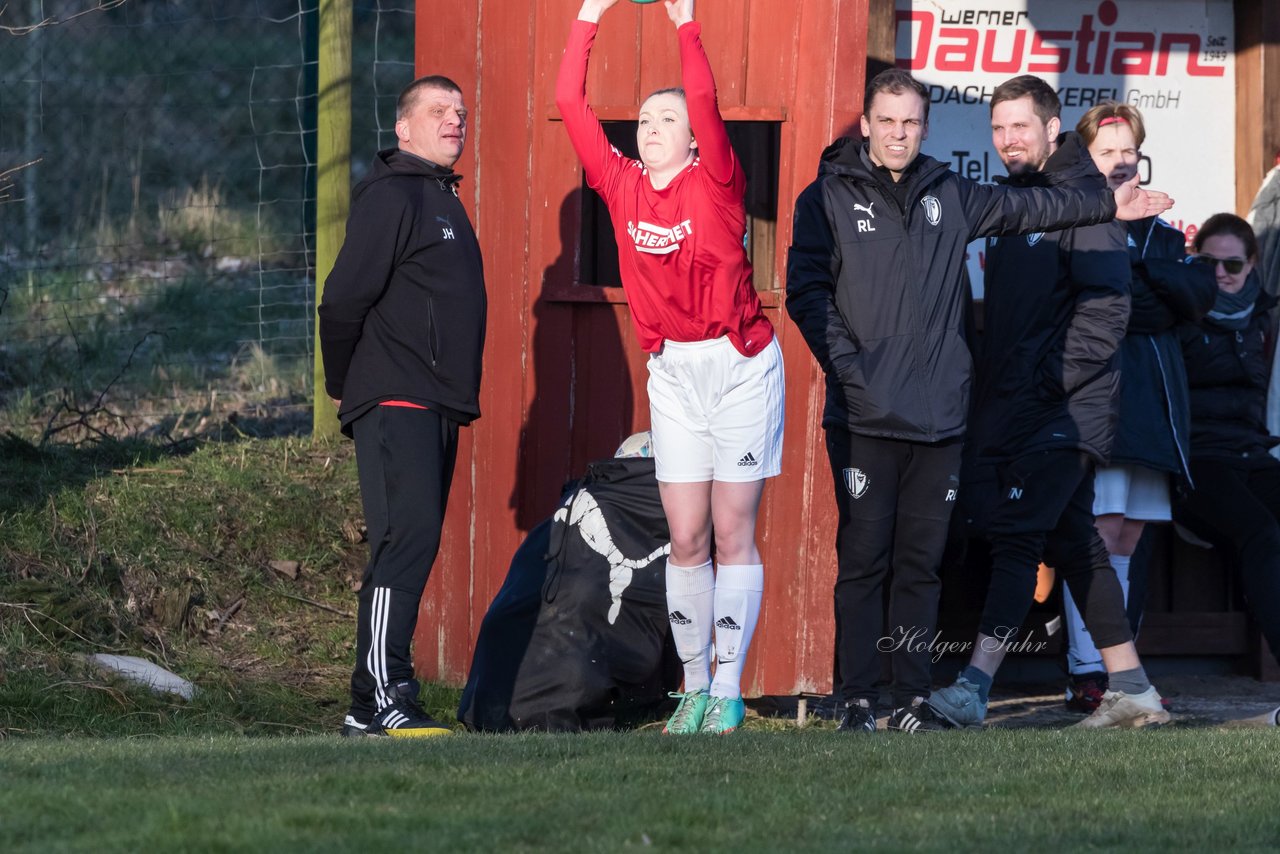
[(1228, 372)]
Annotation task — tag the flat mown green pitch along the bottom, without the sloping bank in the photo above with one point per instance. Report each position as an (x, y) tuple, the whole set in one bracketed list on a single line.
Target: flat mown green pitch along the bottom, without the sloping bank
[(811, 791)]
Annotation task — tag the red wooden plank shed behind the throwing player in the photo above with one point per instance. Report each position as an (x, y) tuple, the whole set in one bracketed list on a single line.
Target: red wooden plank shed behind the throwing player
[(564, 375)]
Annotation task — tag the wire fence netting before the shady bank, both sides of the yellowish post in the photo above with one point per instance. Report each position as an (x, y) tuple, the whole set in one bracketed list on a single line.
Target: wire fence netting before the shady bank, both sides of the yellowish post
[(158, 173)]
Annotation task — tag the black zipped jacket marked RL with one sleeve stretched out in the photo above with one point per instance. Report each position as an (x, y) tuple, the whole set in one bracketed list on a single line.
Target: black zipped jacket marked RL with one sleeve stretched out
[(879, 289)]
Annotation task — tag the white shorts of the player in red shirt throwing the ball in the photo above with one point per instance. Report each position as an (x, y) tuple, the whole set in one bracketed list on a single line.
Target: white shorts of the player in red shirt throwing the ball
[(716, 414)]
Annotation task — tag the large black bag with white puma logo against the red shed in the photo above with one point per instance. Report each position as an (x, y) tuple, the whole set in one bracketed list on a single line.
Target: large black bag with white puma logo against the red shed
[(578, 637)]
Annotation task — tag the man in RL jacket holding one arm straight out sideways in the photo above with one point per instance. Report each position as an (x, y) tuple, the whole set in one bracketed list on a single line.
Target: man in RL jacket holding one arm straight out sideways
[(876, 285)]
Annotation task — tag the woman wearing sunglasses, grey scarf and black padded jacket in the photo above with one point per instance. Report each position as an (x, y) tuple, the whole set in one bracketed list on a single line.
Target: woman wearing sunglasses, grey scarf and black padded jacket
[(1236, 497)]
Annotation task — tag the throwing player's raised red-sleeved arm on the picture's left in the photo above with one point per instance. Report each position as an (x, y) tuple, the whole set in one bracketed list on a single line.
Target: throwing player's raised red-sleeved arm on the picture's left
[(584, 129)]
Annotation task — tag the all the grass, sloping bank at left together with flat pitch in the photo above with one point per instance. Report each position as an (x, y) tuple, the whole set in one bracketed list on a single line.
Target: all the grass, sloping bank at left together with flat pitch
[(166, 554)]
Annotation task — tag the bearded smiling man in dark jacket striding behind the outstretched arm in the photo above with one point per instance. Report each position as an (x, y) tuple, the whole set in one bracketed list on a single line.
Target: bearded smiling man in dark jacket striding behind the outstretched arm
[(1045, 413)]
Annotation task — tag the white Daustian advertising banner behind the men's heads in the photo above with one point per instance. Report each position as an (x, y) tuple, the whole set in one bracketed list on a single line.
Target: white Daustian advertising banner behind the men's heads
[(1173, 60)]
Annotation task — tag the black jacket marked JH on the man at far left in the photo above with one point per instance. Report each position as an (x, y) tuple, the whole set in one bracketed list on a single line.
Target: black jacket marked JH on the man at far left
[(404, 312)]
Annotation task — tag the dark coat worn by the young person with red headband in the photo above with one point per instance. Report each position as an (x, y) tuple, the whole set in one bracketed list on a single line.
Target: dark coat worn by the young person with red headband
[(1155, 408)]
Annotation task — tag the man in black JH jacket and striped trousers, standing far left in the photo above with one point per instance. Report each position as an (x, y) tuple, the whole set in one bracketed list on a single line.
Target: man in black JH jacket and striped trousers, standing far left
[(403, 326)]
